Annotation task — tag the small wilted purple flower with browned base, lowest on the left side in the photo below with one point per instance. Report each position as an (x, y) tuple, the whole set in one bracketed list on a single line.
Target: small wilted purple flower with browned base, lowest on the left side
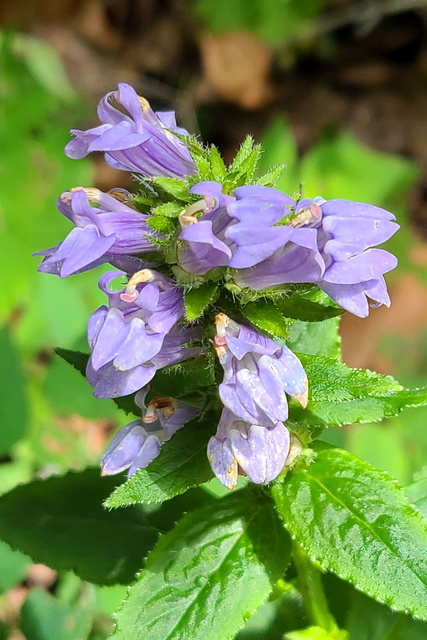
[(139, 442)]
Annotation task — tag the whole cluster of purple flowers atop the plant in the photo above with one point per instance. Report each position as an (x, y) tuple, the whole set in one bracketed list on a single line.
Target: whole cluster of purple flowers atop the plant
[(244, 237)]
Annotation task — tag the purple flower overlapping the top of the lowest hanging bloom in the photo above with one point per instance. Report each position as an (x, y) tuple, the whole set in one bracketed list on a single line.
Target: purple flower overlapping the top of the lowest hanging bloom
[(258, 373)]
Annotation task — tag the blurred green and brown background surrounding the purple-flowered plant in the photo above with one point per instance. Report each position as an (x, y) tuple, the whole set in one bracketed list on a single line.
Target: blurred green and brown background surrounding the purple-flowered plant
[(336, 89)]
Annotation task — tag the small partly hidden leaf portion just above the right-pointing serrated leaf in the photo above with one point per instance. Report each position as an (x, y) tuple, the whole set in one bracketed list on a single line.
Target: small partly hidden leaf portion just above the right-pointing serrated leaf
[(316, 338)]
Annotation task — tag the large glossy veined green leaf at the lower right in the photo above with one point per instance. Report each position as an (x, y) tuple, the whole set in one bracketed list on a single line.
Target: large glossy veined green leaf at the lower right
[(355, 521)]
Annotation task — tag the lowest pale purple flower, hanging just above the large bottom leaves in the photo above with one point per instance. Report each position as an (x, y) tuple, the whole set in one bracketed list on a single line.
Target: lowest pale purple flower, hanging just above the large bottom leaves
[(249, 449)]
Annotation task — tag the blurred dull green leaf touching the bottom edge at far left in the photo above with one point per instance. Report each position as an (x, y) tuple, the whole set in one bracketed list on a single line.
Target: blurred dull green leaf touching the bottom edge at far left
[(43, 617)]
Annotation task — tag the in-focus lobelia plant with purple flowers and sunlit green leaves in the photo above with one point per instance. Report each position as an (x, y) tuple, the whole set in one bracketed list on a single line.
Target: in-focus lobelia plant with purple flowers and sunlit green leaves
[(219, 333)]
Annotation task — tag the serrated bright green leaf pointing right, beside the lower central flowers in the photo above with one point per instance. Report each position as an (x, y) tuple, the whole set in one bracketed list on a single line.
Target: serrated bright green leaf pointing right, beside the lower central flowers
[(339, 395)]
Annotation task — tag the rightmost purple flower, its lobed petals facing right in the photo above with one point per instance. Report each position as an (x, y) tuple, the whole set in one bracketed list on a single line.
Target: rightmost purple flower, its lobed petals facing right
[(331, 244)]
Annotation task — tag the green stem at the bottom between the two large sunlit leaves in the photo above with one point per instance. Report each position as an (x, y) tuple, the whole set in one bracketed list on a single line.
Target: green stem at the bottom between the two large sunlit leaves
[(311, 589)]
